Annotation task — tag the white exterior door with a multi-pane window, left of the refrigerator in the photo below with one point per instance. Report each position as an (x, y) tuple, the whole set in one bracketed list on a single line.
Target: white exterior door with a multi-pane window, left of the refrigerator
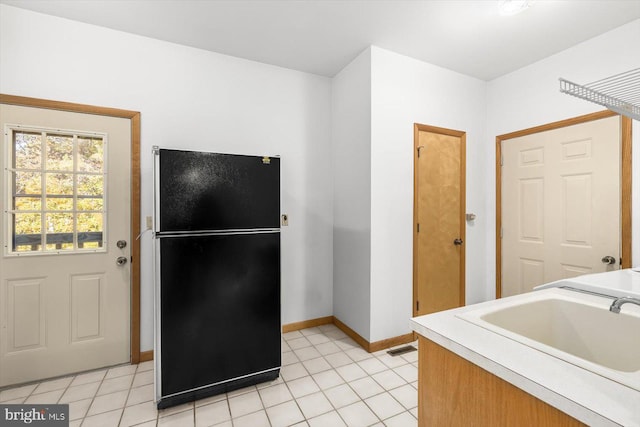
[(64, 301)]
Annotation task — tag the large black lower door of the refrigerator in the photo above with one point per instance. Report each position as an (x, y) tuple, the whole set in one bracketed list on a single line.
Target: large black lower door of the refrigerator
[(219, 314)]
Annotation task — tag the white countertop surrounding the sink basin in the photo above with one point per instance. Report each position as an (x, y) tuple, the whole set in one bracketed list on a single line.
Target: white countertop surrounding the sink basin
[(586, 396)]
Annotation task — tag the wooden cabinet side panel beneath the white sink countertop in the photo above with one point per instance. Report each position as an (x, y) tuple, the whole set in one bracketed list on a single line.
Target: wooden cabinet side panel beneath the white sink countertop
[(454, 392)]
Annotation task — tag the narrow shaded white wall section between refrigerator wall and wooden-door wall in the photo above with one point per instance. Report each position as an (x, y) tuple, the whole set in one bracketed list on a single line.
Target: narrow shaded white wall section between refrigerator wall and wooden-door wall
[(351, 154)]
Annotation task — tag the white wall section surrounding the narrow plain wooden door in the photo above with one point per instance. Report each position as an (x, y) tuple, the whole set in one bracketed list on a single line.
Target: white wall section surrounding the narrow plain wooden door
[(407, 91)]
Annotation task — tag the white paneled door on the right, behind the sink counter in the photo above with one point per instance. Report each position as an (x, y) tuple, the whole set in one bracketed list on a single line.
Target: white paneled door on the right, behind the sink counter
[(560, 204)]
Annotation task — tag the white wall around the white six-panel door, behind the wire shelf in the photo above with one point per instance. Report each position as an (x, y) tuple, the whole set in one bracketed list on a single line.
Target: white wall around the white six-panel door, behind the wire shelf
[(530, 96)]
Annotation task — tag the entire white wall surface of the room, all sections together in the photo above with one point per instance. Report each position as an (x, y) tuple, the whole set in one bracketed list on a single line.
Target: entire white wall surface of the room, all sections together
[(195, 99)]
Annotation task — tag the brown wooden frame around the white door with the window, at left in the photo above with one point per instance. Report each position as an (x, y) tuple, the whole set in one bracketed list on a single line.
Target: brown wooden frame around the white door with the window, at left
[(134, 116)]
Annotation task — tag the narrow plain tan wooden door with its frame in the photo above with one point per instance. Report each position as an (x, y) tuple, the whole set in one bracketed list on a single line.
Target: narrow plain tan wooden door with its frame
[(439, 219)]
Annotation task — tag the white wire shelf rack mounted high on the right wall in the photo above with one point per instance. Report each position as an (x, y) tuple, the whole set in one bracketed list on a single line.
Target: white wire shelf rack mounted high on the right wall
[(619, 93)]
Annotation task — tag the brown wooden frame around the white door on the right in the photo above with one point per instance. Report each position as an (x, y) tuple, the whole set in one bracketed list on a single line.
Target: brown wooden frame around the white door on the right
[(625, 183)]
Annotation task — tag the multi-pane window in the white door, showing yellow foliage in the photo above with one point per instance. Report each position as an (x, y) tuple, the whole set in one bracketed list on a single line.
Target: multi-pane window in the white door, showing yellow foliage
[(57, 191)]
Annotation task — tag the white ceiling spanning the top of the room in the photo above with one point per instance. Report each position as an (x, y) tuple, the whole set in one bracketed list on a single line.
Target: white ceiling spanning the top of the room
[(322, 36)]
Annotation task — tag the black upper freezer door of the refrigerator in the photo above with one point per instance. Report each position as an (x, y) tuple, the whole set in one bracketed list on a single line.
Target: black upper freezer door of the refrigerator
[(209, 191)]
